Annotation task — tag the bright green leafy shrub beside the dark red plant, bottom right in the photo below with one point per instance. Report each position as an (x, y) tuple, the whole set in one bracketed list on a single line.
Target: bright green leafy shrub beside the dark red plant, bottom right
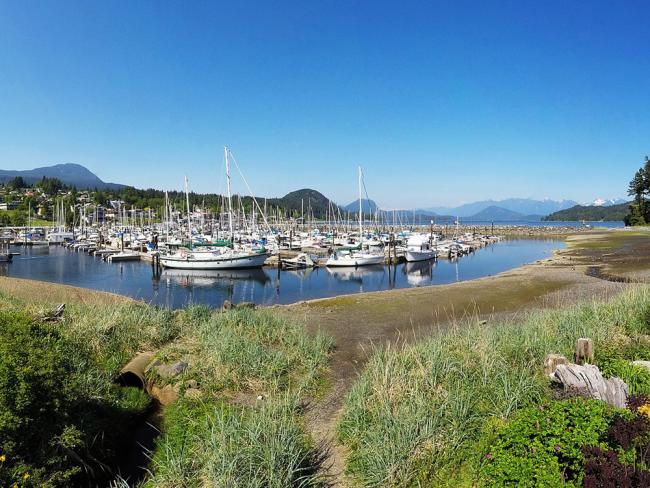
[(542, 445)]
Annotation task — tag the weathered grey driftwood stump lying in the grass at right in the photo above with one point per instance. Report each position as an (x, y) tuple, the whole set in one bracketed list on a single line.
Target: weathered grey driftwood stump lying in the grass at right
[(614, 391)]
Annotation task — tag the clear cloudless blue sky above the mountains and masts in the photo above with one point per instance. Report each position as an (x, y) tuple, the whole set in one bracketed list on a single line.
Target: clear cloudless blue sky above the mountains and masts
[(440, 102)]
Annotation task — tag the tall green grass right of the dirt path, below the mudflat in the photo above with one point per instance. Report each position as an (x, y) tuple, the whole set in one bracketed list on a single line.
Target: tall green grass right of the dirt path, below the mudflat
[(417, 415)]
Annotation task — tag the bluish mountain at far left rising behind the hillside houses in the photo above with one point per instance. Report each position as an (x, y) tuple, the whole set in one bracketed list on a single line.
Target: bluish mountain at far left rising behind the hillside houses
[(70, 174)]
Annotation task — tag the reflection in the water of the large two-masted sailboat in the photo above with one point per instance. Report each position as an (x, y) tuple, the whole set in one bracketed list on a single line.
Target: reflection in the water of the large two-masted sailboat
[(212, 278)]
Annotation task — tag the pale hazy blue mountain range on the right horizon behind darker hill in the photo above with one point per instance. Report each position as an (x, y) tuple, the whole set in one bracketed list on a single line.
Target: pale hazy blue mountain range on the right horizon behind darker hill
[(523, 206)]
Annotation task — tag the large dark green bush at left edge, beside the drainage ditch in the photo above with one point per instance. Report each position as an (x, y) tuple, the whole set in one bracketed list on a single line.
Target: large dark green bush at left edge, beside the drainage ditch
[(62, 420)]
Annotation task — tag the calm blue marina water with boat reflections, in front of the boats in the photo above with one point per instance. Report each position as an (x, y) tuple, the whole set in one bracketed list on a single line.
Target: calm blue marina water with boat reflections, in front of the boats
[(176, 288)]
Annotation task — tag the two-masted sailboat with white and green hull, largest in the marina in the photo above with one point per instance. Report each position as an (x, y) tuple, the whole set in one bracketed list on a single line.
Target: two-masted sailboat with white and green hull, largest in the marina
[(215, 258)]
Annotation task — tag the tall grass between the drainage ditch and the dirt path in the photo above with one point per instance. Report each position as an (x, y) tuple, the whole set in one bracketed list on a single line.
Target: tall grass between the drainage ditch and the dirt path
[(230, 437)]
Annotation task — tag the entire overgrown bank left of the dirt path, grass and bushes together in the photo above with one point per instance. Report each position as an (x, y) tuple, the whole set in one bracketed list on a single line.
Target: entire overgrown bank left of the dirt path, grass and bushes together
[(64, 421)]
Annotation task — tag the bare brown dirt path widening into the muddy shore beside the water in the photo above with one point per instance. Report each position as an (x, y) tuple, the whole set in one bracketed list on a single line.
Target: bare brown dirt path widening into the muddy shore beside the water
[(359, 322)]
